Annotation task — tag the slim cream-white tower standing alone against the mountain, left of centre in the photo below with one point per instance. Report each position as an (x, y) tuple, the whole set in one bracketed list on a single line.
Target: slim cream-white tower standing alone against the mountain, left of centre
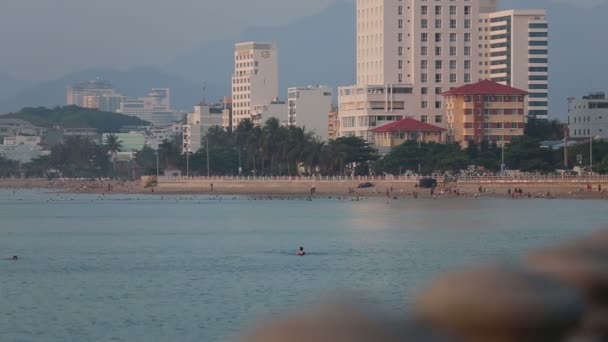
[(255, 80)]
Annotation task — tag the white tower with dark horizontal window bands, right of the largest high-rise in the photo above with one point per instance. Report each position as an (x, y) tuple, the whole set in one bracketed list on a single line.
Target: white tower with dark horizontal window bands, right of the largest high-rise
[(513, 48)]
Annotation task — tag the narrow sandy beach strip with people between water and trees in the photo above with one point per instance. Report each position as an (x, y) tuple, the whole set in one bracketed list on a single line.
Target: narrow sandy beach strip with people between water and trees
[(302, 188)]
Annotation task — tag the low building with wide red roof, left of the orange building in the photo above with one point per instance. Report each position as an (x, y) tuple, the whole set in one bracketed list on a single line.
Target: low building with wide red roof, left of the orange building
[(396, 133)]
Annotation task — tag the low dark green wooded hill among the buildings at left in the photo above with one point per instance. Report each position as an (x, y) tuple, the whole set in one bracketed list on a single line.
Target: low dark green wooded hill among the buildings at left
[(76, 117)]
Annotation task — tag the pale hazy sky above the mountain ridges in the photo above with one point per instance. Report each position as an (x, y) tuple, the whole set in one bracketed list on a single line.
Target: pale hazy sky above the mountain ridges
[(44, 39)]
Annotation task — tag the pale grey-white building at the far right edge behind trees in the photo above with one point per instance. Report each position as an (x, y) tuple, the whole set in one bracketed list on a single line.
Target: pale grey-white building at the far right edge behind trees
[(588, 117)]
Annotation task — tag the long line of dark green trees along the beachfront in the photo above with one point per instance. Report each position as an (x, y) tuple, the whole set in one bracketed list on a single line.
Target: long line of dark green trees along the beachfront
[(275, 150)]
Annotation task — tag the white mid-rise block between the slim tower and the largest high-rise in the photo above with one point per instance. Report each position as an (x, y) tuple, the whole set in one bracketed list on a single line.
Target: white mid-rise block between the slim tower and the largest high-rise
[(308, 107)]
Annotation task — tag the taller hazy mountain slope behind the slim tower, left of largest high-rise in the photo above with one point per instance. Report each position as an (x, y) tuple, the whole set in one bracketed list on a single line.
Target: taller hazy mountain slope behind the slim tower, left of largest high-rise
[(319, 49)]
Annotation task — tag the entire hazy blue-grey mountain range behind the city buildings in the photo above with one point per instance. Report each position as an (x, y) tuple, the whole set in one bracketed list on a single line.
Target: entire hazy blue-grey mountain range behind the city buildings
[(320, 49)]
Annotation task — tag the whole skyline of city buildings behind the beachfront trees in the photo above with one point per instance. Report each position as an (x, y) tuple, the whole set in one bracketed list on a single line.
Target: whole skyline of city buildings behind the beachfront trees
[(444, 73)]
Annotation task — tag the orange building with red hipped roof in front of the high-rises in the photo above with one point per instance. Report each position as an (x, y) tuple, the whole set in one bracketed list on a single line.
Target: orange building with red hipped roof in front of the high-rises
[(485, 110)]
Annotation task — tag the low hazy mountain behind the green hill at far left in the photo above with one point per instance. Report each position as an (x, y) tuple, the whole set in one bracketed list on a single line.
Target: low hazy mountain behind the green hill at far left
[(133, 82)]
